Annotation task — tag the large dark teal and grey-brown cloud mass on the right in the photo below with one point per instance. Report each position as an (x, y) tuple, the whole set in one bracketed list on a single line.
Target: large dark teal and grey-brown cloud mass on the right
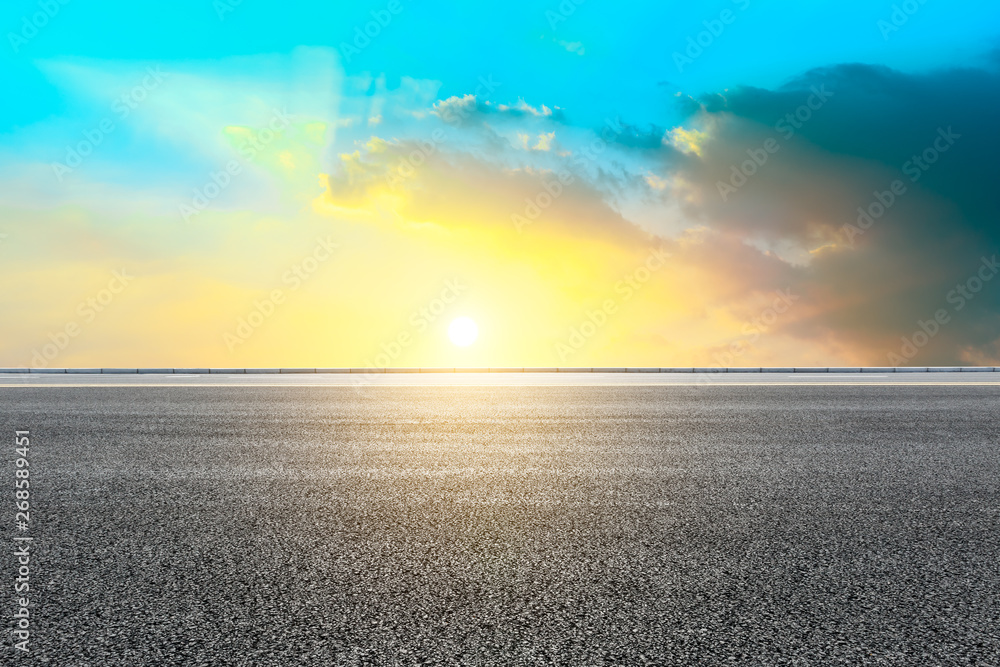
[(841, 137)]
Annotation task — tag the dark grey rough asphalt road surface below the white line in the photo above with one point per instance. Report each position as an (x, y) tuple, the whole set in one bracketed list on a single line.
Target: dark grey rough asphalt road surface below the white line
[(508, 525)]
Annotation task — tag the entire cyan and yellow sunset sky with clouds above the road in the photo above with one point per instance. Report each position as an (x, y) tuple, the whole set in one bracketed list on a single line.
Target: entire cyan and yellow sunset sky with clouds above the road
[(725, 183)]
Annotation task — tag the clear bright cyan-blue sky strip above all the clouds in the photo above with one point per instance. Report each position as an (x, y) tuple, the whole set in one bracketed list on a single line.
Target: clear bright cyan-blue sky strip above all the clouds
[(630, 68)]
